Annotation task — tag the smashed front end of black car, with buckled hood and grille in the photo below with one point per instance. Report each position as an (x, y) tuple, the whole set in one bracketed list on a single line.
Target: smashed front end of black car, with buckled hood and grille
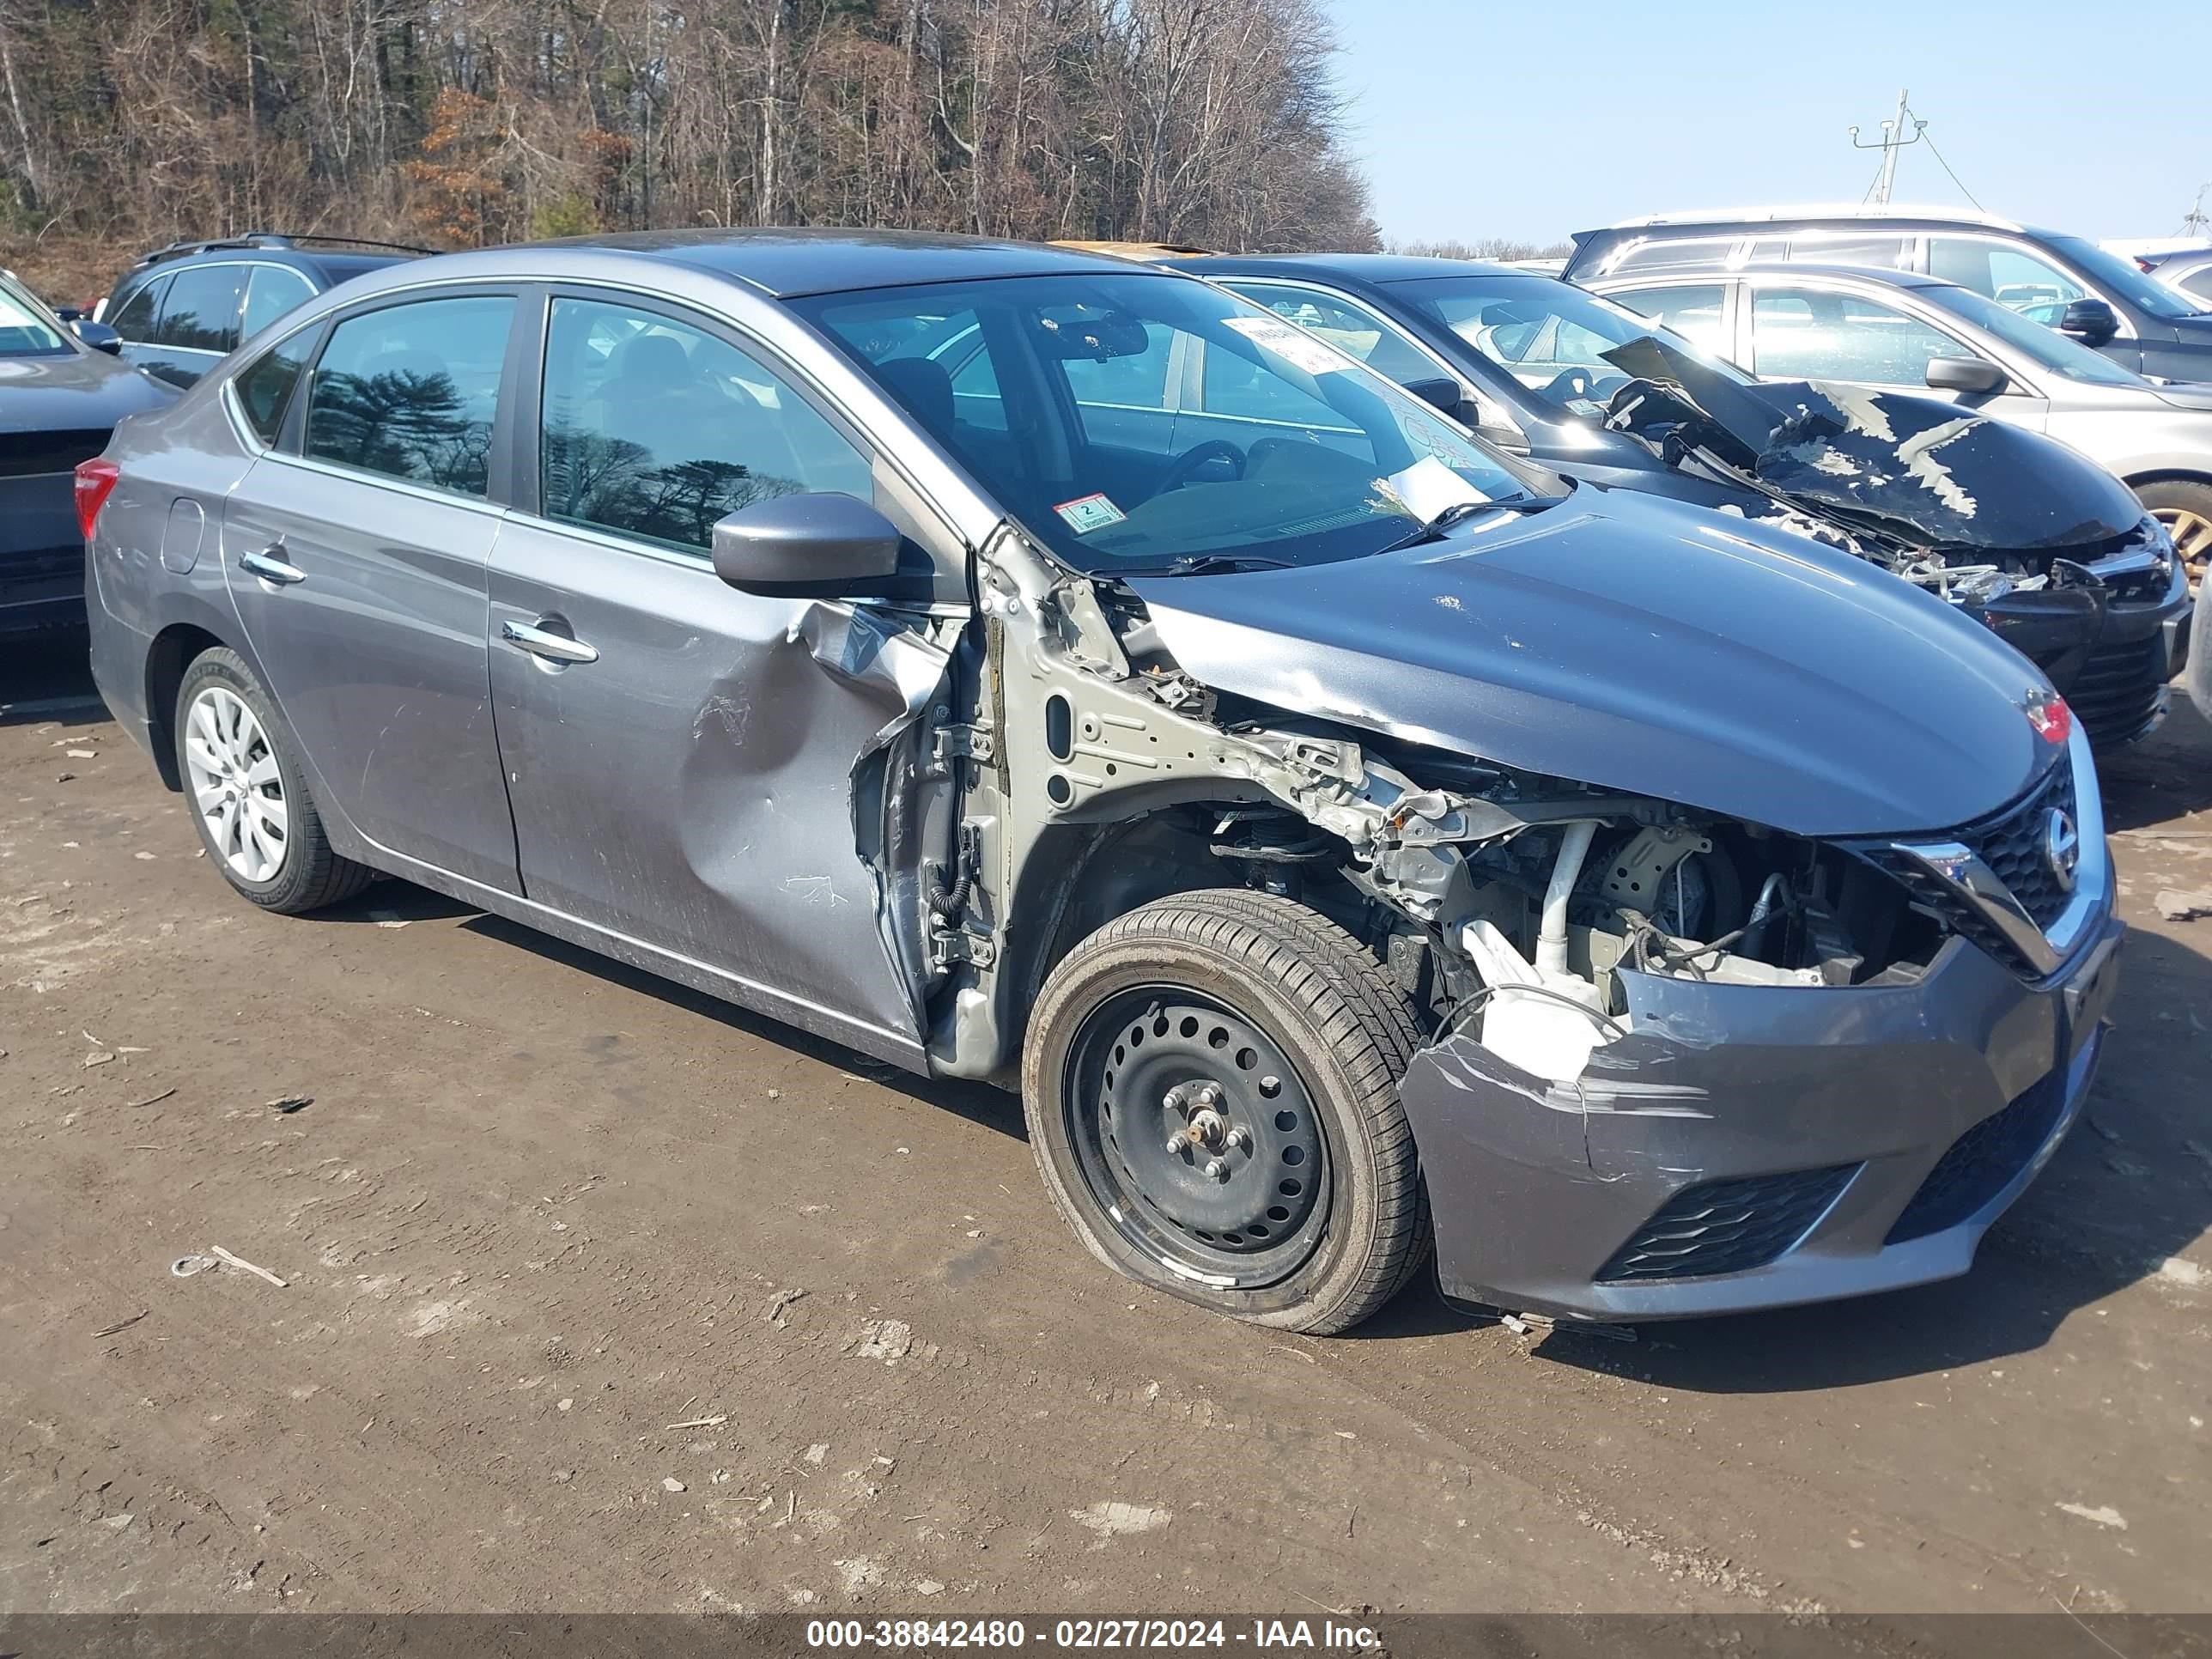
[(2034, 541)]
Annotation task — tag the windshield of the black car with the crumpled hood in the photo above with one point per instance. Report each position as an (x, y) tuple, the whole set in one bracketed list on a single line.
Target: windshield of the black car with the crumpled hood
[(1547, 335)]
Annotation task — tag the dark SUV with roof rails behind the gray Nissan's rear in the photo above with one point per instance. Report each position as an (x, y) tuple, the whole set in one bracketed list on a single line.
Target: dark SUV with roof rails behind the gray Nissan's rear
[(182, 309)]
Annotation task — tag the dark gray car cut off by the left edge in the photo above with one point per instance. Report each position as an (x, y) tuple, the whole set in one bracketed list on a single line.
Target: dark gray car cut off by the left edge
[(59, 406)]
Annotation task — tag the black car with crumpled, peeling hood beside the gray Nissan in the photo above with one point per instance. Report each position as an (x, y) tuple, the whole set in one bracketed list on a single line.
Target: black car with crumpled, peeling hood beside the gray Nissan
[(2016, 530)]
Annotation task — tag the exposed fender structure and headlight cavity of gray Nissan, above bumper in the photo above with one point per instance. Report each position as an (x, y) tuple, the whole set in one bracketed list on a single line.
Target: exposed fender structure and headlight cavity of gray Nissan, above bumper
[(1510, 906)]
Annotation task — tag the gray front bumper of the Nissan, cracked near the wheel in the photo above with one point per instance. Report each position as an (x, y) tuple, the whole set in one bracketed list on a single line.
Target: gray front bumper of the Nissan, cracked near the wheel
[(1762, 1147)]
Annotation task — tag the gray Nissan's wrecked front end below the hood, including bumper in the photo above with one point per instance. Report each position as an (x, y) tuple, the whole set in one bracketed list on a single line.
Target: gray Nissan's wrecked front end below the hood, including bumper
[(1676, 1058)]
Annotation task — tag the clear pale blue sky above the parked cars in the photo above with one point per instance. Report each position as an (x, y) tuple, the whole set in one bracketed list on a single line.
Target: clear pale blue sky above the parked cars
[(1485, 118)]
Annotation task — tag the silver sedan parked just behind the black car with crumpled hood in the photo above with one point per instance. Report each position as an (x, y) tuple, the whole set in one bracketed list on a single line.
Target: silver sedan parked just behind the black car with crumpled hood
[(1903, 331)]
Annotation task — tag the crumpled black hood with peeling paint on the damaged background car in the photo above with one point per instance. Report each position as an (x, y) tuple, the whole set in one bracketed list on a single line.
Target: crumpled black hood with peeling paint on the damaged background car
[(1919, 470)]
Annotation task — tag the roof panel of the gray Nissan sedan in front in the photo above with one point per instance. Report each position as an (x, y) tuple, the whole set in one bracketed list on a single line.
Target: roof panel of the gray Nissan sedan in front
[(789, 264)]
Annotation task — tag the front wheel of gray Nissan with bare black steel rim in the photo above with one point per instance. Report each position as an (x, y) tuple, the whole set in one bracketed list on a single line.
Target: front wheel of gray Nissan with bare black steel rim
[(1306, 994)]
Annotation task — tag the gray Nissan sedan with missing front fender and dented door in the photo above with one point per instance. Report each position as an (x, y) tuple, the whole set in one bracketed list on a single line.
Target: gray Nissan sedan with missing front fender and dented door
[(1346, 837)]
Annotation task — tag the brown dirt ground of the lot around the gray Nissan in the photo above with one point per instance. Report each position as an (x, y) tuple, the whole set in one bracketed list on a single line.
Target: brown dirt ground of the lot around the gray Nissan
[(609, 1297)]
